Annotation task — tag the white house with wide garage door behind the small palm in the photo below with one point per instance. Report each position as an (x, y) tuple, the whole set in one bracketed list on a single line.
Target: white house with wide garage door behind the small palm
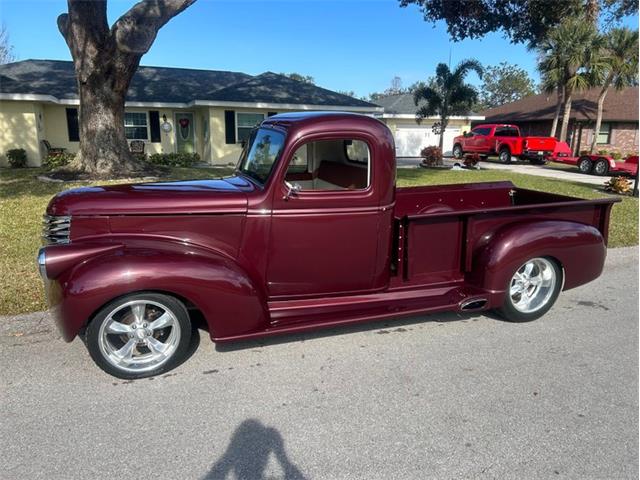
[(400, 116)]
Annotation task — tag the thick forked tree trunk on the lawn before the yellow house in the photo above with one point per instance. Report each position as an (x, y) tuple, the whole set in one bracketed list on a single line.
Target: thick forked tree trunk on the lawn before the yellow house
[(105, 60)]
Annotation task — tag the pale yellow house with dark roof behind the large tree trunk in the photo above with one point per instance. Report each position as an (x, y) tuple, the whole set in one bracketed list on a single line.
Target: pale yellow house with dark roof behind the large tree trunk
[(169, 109)]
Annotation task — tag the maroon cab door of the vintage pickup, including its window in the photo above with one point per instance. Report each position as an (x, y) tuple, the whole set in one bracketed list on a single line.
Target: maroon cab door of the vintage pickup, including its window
[(325, 221)]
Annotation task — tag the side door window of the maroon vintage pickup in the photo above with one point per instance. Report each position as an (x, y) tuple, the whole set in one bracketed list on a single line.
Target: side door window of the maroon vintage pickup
[(343, 164)]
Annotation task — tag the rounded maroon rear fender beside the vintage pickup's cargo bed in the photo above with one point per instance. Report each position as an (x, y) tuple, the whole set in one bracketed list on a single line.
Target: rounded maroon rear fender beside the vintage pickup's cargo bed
[(579, 248)]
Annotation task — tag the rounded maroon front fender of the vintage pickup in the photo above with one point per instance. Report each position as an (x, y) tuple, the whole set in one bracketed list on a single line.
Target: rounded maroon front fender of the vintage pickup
[(232, 304)]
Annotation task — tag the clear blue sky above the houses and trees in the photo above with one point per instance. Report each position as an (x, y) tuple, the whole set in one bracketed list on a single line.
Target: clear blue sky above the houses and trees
[(345, 45)]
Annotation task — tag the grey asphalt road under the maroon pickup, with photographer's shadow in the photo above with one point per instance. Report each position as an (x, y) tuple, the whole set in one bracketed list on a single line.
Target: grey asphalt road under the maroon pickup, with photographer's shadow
[(441, 396)]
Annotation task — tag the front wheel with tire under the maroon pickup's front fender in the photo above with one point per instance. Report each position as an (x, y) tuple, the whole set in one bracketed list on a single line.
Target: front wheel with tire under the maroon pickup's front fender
[(139, 335)]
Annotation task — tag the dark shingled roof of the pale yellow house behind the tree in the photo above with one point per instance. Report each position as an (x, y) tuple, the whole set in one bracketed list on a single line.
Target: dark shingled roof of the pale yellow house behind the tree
[(174, 85)]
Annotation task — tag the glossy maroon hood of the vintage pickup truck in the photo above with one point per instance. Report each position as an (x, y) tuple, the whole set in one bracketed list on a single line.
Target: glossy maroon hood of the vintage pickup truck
[(223, 195)]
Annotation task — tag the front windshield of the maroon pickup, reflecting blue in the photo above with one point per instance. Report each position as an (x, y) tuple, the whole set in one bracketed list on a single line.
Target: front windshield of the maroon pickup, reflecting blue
[(261, 153)]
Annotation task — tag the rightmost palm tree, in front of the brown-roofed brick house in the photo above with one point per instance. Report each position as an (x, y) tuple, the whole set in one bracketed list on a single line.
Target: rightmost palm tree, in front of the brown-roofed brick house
[(618, 68)]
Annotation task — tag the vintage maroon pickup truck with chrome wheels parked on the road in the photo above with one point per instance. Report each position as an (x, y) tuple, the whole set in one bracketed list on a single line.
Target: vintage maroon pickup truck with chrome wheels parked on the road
[(311, 231)]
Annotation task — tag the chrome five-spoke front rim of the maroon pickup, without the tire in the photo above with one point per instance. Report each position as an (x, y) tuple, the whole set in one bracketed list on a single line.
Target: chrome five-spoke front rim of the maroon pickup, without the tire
[(139, 336)]
